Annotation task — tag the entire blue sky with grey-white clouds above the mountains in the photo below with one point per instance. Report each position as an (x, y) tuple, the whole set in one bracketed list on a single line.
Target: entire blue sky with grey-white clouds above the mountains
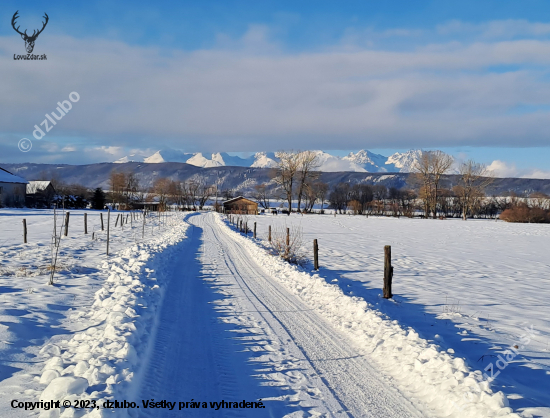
[(469, 77)]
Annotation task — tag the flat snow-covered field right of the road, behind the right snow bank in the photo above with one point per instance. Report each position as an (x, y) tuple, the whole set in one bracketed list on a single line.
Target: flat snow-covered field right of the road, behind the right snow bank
[(473, 287)]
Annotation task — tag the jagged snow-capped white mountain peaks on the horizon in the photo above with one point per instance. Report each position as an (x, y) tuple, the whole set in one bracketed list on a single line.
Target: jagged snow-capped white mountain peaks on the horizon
[(362, 161)]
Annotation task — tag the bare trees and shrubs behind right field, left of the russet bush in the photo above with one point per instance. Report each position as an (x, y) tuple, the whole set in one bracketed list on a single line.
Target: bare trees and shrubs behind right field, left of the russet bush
[(297, 177)]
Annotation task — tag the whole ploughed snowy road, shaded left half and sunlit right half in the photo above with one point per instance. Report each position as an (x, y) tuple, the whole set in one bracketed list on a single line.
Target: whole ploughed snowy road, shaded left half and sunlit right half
[(227, 330)]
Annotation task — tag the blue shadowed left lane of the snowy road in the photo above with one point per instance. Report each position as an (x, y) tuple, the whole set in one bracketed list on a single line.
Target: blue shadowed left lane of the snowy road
[(189, 359)]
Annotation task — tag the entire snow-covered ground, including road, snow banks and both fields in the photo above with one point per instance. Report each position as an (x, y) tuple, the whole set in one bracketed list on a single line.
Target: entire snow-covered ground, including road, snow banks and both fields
[(196, 312)]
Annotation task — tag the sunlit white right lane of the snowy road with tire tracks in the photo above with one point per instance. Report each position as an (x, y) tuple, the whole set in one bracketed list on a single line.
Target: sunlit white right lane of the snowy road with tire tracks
[(348, 375)]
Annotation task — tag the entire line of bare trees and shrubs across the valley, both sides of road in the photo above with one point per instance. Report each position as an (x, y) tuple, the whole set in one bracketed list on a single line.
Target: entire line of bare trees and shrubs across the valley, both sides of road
[(295, 181)]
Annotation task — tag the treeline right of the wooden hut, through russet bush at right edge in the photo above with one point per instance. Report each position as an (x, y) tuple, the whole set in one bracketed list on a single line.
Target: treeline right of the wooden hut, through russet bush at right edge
[(296, 180)]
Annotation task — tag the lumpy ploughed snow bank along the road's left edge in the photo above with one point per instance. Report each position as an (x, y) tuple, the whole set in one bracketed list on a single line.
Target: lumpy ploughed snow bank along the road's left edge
[(105, 359)]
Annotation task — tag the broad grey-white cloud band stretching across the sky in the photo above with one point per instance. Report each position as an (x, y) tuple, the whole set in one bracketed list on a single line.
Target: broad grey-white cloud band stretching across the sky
[(240, 97)]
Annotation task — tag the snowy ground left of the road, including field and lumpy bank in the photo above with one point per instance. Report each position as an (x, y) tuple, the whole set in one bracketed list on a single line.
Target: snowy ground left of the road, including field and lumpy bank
[(81, 338)]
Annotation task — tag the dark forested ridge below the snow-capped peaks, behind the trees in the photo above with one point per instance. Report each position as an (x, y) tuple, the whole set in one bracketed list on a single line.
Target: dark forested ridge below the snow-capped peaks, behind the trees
[(241, 180)]
